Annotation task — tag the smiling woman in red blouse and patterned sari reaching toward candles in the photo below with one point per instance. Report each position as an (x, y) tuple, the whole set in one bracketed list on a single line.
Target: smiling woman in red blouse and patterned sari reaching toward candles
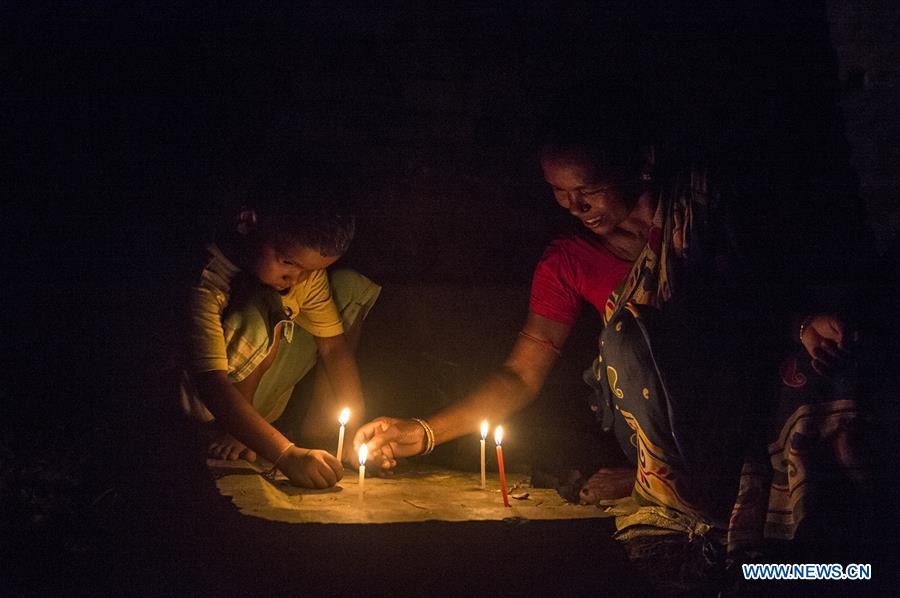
[(696, 318)]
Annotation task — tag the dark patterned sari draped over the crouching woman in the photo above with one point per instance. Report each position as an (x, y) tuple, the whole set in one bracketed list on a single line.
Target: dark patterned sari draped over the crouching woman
[(721, 441)]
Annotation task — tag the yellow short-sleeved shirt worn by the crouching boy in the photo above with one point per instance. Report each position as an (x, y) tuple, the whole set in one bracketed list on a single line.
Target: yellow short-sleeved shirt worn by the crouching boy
[(309, 304)]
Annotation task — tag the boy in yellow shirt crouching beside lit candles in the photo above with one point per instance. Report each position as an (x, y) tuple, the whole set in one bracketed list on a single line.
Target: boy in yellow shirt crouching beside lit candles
[(262, 315)]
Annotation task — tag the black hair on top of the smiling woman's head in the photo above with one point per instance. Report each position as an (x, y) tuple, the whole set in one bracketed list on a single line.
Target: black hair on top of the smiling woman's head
[(612, 133)]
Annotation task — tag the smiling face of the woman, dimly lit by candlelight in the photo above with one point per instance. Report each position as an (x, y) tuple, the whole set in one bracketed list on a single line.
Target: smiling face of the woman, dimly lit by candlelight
[(600, 201)]
